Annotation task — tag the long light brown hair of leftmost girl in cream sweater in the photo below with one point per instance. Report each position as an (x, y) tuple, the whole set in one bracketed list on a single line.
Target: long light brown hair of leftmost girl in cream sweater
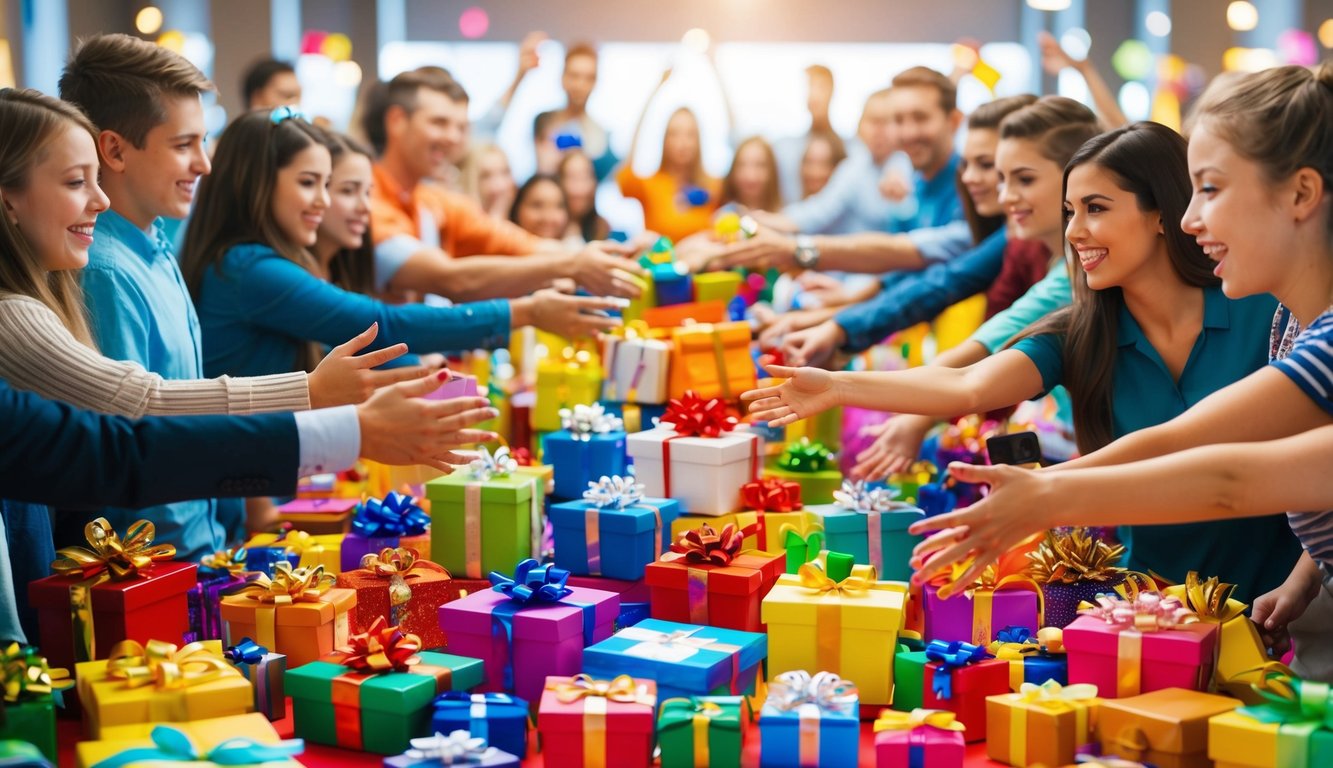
[(30, 122)]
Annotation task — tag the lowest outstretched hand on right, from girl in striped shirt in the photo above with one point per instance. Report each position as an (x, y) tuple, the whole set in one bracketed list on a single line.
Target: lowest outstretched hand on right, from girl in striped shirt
[(1015, 510)]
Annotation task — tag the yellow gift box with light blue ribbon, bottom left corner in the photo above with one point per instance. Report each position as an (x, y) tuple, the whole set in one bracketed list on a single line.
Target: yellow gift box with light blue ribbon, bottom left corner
[(206, 735)]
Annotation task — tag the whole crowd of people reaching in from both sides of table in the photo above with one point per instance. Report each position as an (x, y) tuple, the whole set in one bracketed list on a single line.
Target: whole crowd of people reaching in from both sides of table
[(155, 287)]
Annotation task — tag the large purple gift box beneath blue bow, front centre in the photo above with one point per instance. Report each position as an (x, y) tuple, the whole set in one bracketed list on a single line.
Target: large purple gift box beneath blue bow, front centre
[(549, 638)]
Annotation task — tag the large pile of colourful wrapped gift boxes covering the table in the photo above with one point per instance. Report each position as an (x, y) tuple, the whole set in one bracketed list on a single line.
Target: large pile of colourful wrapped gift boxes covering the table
[(643, 578)]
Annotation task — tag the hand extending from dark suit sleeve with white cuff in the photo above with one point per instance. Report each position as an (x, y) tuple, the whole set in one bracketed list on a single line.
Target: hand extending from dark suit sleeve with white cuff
[(399, 427)]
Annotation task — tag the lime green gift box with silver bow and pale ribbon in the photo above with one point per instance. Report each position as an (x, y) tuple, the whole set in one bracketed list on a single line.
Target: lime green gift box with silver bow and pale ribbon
[(487, 518)]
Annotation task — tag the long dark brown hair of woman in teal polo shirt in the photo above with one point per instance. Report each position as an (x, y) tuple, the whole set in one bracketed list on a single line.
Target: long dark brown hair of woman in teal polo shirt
[(1147, 161)]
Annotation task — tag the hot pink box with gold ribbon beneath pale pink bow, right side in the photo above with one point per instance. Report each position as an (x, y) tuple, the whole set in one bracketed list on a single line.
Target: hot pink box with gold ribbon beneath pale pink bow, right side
[(1102, 654)]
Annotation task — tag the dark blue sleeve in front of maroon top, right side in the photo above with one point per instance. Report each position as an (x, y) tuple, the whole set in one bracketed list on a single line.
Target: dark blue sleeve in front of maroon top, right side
[(919, 297)]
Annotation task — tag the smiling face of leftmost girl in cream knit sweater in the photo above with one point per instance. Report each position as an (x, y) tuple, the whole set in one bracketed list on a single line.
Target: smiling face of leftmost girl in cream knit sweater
[(58, 206)]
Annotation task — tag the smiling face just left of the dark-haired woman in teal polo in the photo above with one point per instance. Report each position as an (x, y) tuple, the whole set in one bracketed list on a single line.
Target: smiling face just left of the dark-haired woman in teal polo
[(1030, 191)]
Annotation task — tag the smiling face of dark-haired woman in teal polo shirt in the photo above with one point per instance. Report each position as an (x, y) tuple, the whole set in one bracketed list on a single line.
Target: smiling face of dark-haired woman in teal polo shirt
[(1112, 239)]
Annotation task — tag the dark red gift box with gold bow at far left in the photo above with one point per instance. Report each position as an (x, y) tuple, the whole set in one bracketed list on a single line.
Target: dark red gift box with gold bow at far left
[(115, 590)]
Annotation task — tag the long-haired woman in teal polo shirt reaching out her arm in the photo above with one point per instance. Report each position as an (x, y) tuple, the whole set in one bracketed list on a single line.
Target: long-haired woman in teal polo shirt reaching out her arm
[(1150, 335)]
